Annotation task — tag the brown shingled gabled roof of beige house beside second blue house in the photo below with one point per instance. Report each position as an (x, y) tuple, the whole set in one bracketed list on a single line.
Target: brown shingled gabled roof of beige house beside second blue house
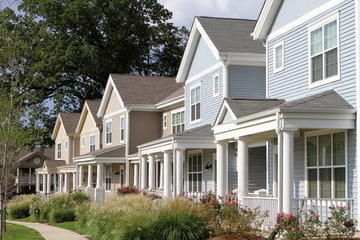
[(142, 91)]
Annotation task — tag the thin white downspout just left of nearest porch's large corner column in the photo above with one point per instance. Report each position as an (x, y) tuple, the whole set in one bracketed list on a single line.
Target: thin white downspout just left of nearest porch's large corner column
[(280, 162)]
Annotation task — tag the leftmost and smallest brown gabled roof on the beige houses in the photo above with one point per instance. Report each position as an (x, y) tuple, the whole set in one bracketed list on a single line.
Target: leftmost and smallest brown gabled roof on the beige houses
[(69, 122)]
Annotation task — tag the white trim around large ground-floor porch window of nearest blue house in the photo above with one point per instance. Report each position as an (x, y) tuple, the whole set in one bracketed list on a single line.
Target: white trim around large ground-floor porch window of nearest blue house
[(324, 132)]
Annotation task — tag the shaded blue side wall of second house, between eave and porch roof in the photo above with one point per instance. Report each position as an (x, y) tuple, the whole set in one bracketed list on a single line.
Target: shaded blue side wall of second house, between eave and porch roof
[(247, 81)]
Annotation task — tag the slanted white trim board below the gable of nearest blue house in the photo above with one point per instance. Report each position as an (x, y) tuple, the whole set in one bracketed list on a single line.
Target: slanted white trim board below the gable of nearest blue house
[(307, 17)]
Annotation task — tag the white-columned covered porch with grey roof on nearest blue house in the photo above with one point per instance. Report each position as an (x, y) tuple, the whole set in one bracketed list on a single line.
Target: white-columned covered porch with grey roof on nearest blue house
[(308, 152)]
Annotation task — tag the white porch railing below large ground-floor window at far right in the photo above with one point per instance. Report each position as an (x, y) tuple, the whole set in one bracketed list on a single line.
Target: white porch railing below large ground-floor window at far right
[(322, 206)]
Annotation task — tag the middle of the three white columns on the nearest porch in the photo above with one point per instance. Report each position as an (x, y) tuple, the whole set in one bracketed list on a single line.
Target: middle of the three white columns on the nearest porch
[(242, 168)]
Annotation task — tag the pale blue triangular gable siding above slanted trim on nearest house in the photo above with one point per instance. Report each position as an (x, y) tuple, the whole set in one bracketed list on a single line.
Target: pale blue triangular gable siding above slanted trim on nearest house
[(293, 9)]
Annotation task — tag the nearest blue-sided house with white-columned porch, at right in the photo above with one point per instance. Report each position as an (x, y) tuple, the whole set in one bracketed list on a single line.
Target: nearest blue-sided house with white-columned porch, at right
[(308, 118)]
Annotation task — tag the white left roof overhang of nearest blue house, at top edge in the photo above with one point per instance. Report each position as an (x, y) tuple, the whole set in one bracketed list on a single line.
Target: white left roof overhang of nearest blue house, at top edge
[(266, 18)]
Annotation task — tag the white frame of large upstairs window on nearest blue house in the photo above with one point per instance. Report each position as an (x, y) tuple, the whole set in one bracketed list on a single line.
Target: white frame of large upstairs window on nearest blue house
[(312, 28)]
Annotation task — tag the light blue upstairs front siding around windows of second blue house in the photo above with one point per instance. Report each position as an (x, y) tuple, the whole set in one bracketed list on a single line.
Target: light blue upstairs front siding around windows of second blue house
[(210, 104)]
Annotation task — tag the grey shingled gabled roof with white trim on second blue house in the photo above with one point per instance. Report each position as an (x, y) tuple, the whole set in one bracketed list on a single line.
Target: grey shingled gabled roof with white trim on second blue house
[(229, 39)]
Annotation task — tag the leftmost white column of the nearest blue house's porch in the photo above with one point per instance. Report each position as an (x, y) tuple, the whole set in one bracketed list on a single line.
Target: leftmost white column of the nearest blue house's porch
[(221, 165)]
